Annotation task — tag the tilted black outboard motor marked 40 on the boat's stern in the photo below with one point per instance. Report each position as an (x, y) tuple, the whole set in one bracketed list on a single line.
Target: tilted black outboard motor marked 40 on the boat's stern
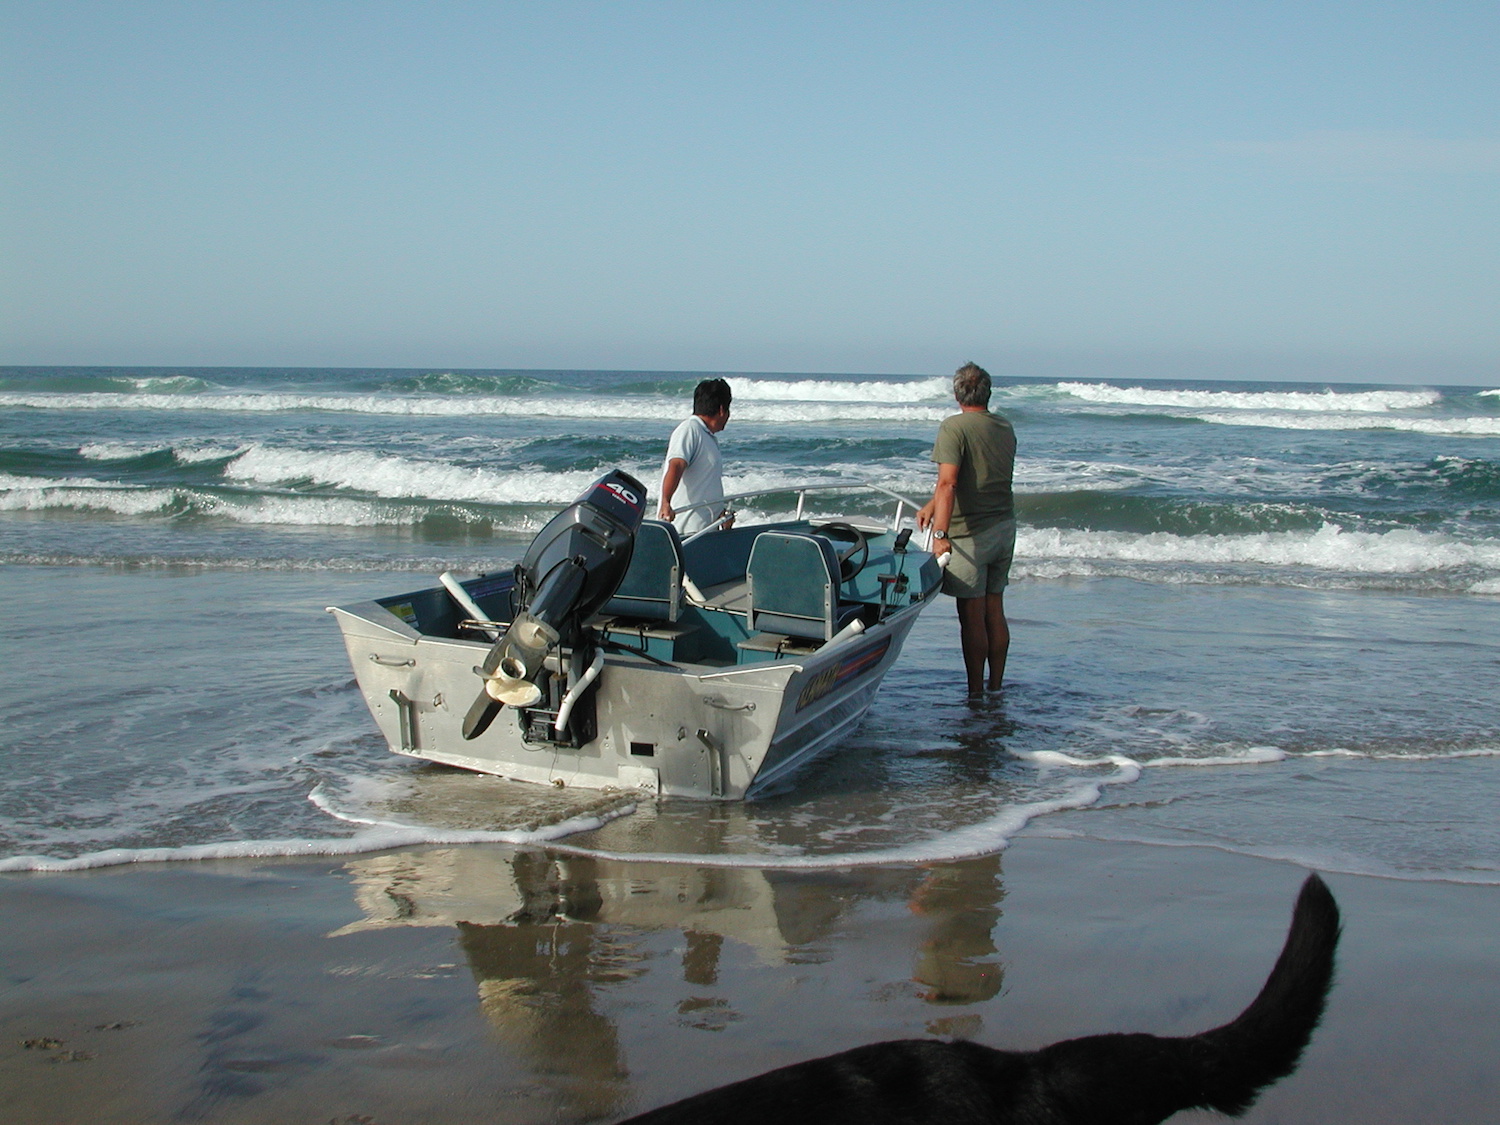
[(569, 572)]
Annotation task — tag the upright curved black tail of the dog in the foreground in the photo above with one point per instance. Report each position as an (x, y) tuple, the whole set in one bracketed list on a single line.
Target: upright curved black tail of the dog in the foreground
[(1267, 1040)]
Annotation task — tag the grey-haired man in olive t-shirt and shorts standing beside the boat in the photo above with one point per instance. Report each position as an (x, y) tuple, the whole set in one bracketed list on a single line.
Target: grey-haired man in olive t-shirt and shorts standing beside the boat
[(973, 518)]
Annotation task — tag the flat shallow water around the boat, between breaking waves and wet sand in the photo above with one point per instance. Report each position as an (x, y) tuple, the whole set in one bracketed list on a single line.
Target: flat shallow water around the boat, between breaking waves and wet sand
[(1340, 730)]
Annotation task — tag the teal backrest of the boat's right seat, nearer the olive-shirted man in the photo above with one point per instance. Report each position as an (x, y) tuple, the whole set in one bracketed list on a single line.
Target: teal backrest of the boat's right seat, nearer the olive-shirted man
[(794, 584)]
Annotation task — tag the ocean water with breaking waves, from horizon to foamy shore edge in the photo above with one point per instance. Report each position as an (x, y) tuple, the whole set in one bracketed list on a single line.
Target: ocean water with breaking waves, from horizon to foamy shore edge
[(1253, 617)]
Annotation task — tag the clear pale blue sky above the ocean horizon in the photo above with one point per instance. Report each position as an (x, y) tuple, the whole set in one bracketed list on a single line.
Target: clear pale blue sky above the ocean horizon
[(1186, 190)]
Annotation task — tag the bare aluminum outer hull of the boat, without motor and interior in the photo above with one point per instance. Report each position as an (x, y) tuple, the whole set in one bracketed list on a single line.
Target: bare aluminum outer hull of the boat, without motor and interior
[(694, 731)]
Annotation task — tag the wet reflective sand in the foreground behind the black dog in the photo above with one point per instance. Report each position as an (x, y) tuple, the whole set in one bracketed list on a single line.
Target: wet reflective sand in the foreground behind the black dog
[(481, 985)]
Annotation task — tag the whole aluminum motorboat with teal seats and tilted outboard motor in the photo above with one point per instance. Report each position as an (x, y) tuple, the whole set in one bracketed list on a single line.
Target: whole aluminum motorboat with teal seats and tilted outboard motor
[(619, 655)]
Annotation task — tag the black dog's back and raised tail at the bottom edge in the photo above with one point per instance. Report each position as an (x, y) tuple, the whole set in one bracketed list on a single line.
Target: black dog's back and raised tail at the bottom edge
[(1096, 1081)]
